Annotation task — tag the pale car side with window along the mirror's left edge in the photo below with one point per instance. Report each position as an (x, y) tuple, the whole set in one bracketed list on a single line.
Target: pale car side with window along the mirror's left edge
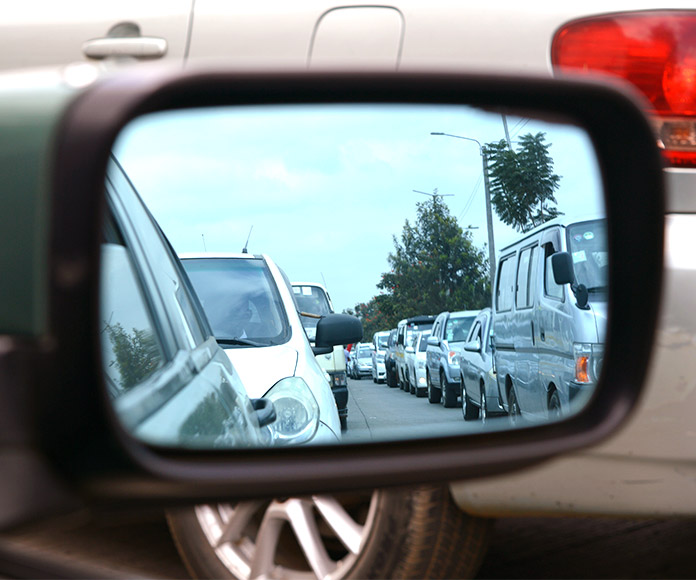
[(171, 383)]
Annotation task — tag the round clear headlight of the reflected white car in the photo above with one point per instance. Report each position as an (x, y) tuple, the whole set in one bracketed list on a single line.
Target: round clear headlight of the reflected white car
[(297, 412)]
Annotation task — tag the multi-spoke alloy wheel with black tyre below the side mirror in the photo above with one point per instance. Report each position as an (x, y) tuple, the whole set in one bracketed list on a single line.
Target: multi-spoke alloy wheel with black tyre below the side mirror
[(400, 533)]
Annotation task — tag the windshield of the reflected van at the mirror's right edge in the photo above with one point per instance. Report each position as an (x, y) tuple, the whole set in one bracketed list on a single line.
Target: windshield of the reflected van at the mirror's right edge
[(587, 242)]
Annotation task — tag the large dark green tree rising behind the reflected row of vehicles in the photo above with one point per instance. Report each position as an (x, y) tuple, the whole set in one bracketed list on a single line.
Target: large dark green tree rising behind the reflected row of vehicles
[(434, 267)]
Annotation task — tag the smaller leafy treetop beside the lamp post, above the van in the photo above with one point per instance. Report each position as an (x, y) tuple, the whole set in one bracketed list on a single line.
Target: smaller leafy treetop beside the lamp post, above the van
[(522, 182)]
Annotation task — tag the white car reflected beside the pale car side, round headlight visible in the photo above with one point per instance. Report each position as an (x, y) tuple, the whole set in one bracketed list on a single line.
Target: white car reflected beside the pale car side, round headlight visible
[(249, 303)]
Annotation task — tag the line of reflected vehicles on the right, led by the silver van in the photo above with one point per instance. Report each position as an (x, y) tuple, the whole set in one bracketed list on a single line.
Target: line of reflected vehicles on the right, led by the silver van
[(531, 354)]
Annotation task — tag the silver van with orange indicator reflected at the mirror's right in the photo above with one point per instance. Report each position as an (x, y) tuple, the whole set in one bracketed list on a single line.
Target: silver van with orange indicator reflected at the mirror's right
[(549, 316)]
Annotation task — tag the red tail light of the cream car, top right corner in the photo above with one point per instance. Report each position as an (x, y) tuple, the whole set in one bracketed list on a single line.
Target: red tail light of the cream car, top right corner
[(653, 50)]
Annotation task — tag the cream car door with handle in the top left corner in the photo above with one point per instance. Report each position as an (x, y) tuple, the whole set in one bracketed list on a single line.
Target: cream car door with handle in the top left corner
[(43, 33)]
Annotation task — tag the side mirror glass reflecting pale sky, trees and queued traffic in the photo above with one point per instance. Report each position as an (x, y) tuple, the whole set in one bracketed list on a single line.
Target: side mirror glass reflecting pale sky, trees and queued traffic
[(471, 245)]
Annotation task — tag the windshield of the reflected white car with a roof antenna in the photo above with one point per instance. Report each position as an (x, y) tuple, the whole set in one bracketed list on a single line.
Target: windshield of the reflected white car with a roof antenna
[(240, 299)]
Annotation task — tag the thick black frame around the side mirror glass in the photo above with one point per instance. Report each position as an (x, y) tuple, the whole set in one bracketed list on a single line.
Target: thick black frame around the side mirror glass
[(75, 425)]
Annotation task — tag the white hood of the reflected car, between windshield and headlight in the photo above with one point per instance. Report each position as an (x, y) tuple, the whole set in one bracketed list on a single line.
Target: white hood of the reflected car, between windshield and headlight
[(261, 368)]
